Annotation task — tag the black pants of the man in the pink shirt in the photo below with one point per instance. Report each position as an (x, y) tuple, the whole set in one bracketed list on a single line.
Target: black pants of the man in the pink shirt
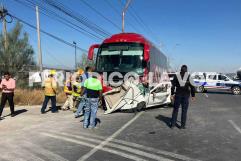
[(7, 97)]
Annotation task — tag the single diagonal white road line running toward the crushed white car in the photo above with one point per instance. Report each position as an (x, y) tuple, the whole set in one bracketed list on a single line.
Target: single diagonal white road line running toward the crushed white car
[(110, 138)]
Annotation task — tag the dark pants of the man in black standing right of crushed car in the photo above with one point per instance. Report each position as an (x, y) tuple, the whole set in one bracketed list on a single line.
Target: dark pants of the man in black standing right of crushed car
[(184, 102)]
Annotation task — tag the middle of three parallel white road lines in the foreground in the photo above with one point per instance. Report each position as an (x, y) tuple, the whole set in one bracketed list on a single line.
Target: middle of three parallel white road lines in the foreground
[(121, 147)]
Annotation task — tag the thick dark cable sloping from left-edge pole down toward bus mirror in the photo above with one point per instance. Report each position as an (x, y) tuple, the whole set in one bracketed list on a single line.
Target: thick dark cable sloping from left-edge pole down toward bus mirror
[(48, 34)]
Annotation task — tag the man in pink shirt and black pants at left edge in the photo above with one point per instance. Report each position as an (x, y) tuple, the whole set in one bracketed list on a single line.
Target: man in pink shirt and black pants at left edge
[(7, 86)]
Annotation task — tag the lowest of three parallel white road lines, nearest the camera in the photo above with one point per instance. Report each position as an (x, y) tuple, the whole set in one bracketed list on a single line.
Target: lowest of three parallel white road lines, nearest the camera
[(125, 155)]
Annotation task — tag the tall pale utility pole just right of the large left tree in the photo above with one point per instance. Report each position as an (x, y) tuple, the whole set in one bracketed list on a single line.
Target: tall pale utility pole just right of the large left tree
[(39, 42)]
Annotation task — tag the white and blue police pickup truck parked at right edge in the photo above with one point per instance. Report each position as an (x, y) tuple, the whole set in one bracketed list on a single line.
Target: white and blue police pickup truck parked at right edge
[(216, 81)]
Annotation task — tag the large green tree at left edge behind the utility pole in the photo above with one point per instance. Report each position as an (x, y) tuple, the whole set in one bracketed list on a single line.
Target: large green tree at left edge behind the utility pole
[(19, 54)]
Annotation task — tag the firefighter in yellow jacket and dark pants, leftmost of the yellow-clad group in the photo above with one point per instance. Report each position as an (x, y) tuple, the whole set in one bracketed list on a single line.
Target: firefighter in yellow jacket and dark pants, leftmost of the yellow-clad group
[(50, 88)]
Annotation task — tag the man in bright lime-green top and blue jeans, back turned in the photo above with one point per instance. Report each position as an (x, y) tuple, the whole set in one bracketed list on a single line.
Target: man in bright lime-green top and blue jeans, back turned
[(93, 89)]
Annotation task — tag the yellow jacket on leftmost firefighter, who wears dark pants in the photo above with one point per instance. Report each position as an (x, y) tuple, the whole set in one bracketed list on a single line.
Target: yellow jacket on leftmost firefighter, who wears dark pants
[(50, 87)]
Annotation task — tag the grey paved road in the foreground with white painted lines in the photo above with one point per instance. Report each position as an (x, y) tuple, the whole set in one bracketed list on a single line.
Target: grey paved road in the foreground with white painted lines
[(213, 133)]
